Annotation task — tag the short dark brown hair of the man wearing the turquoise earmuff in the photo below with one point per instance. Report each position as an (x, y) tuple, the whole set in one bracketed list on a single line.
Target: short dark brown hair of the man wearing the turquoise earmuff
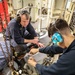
[(57, 26)]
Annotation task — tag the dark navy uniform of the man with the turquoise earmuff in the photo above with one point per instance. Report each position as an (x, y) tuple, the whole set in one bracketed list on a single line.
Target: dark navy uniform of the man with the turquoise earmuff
[(65, 65)]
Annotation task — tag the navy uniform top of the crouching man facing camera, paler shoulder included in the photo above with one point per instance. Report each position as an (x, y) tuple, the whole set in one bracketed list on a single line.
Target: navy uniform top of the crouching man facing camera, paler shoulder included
[(18, 33)]
